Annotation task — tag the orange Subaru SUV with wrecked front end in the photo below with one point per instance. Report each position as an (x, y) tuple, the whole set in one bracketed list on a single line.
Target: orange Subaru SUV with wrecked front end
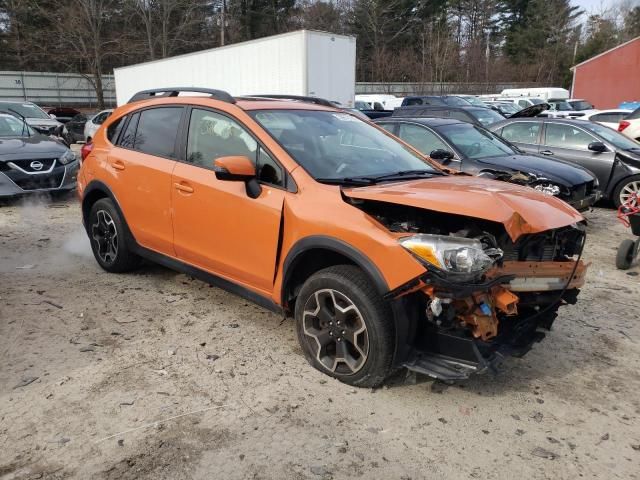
[(383, 259)]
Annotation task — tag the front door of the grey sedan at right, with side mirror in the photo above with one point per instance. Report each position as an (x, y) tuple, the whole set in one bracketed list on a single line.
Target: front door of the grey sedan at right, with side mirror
[(570, 142)]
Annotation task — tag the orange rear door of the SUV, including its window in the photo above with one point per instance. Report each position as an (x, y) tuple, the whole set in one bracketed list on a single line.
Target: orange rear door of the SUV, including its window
[(141, 165)]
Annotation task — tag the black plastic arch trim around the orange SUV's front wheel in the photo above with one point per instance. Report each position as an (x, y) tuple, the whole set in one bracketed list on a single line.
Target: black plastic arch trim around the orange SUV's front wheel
[(336, 245)]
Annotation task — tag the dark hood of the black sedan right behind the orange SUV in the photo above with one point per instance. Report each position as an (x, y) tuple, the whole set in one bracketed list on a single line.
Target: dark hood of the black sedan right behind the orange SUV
[(557, 171)]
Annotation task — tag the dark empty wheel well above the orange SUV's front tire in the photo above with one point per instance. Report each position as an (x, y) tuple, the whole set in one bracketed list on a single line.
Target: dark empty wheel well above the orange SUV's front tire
[(305, 265)]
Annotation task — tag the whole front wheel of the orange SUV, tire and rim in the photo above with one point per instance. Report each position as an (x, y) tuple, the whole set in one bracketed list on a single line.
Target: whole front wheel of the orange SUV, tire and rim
[(344, 326)]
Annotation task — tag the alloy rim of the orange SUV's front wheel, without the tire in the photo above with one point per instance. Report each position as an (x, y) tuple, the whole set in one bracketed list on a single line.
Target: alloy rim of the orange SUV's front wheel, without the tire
[(338, 334)]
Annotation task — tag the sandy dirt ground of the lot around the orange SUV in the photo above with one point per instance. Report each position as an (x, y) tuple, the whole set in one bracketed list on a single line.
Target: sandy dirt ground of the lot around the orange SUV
[(156, 375)]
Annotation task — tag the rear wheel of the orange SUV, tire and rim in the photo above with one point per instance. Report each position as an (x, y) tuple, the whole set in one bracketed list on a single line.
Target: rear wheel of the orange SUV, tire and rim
[(109, 239)]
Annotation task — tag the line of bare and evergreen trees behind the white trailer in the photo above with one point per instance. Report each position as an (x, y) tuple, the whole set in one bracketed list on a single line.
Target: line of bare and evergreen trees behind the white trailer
[(398, 40)]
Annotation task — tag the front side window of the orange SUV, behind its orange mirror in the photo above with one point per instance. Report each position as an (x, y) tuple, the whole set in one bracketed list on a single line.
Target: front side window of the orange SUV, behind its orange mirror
[(212, 135)]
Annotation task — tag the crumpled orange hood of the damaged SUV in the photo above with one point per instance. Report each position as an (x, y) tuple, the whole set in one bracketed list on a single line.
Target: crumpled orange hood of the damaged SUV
[(521, 210)]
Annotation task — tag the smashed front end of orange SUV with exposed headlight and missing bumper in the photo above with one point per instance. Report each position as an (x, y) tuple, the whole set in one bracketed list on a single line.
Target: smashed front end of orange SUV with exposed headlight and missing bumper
[(483, 296)]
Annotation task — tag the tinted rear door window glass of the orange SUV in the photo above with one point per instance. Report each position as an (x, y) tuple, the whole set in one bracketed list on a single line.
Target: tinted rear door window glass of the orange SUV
[(157, 131)]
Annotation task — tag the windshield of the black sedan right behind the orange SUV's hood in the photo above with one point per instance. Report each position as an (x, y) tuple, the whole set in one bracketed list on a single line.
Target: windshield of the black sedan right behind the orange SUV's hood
[(475, 142)]
